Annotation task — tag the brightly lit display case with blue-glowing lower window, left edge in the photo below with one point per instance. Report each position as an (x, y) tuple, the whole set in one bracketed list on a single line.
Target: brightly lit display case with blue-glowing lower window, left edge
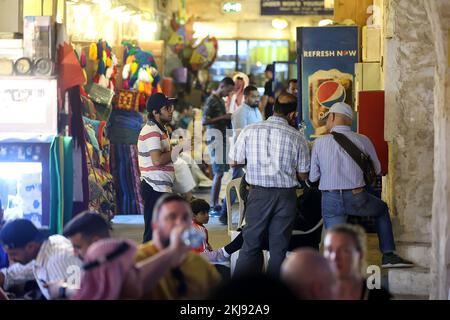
[(28, 125)]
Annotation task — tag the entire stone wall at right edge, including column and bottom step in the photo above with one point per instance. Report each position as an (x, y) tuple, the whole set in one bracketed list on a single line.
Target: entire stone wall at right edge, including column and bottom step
[(417, 126)]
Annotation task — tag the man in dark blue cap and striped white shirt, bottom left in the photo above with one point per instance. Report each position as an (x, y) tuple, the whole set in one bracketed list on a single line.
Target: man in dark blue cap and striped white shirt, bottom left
[(37, 258)]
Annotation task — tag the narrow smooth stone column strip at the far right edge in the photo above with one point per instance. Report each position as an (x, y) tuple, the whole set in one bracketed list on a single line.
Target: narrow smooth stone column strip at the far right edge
[(438, 12)]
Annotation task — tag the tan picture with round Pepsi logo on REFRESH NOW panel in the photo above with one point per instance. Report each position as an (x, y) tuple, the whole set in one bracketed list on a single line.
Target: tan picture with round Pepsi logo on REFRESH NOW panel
[(327, 87)]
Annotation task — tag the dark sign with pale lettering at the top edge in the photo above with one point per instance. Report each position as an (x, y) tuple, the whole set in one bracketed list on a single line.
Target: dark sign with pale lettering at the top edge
[(294, 7)]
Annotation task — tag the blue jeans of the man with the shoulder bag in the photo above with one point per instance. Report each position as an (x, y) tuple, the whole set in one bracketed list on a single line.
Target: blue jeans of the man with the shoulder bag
[(336, 206)]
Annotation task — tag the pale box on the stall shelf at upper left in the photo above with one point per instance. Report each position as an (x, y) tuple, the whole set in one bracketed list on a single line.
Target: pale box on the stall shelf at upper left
[(39, 37)]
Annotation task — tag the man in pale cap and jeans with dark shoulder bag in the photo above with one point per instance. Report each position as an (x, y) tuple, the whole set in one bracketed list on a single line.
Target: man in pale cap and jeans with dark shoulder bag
[(342, 182)]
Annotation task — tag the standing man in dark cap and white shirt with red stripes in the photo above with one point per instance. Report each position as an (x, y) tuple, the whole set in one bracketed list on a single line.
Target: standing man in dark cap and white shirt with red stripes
[(155, 156)]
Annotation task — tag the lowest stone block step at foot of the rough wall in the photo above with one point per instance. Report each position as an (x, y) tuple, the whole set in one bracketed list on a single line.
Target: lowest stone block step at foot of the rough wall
[(409, 282)]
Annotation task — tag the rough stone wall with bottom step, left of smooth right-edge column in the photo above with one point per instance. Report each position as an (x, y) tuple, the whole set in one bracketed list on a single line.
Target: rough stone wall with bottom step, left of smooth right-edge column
[(409, 65)]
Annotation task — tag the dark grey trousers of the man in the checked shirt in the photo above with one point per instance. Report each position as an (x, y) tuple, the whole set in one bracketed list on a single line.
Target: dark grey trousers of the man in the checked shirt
[(268, 211)]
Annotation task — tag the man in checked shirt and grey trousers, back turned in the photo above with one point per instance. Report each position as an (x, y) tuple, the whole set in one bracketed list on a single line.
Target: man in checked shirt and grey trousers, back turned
[(276, 157)]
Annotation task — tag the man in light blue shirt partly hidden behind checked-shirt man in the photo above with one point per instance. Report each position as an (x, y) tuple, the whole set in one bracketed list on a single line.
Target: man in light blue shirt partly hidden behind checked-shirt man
[(245, 115)]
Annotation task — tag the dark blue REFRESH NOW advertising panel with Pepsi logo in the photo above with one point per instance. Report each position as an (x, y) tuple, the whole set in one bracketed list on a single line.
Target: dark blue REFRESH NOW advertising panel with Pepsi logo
[(327, 58)]
